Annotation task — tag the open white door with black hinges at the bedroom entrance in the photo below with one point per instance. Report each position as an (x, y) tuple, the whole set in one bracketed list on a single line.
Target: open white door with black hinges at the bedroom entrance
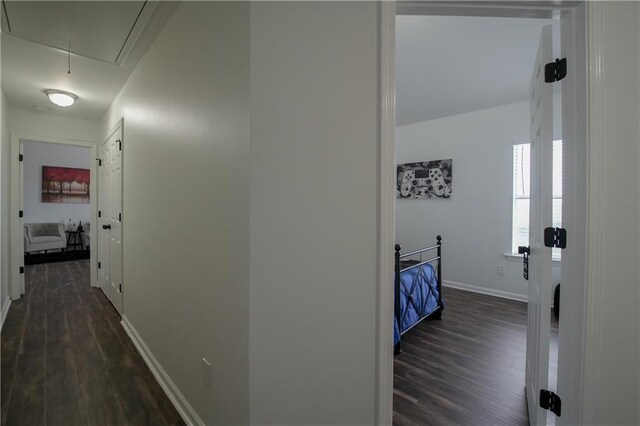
[(539, 302)]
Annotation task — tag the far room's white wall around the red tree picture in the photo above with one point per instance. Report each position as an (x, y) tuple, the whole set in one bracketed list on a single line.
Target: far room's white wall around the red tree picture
[(38, 154)]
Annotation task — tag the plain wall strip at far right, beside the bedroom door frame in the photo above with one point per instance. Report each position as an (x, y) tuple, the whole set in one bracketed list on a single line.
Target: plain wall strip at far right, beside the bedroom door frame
[(612, 319)]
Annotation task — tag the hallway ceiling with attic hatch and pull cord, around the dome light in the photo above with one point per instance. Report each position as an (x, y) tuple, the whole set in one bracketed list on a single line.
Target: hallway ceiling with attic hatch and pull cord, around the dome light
[(107, 40)]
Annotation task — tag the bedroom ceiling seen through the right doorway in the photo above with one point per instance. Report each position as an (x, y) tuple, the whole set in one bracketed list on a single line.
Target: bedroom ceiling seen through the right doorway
[(452, 65)]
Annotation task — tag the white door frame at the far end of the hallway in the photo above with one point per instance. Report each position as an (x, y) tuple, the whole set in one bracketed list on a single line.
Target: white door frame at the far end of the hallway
[(16, 246)]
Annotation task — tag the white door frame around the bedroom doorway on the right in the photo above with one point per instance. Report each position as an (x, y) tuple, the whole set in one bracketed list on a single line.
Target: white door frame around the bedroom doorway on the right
[(584, 62)]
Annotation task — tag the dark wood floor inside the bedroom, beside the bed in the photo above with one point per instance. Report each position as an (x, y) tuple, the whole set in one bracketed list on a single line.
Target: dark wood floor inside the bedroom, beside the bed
[(466, 369)]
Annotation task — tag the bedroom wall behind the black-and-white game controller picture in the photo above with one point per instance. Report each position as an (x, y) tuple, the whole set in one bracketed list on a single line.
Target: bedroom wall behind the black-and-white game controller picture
[(476, 222)]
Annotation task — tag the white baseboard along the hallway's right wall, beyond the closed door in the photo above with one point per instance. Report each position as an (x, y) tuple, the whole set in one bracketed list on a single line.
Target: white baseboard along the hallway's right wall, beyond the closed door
[(178, 400)]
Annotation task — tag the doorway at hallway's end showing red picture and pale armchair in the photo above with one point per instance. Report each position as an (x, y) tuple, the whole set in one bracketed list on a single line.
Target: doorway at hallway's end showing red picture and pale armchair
[(53, 190)]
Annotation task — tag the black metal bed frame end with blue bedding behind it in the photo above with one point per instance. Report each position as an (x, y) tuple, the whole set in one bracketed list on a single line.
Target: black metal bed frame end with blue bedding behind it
[(437, 314)]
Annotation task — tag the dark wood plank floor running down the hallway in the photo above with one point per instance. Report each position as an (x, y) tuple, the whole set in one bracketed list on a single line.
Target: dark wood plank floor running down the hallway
[(66, 360)]
